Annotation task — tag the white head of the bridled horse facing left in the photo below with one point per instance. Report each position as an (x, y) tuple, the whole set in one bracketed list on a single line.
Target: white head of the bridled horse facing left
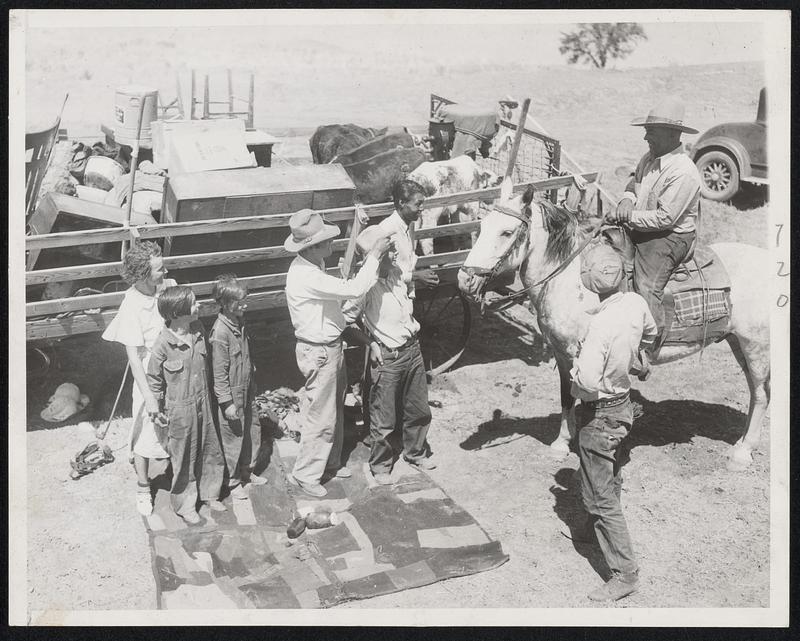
[(502, 243)]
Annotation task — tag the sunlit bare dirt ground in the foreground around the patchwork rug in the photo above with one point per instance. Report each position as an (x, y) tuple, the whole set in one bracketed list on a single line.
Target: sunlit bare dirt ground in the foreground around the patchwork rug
[(701, 532)]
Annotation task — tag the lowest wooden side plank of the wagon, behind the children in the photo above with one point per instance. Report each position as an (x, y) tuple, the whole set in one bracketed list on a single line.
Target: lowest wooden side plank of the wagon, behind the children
[(49, 328)]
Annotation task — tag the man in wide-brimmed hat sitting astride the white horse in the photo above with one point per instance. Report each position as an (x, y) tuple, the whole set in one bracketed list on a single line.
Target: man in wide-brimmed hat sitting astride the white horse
[(661, 204)]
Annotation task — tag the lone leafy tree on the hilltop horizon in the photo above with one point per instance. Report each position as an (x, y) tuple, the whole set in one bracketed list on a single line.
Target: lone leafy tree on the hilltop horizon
[(598, 43)]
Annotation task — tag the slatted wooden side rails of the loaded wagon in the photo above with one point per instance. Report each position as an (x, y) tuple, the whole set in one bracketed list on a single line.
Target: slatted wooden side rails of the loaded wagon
[(85, 314)]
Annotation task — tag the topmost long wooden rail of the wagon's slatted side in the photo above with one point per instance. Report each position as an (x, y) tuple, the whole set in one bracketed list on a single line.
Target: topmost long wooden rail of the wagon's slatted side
[(74, 238)]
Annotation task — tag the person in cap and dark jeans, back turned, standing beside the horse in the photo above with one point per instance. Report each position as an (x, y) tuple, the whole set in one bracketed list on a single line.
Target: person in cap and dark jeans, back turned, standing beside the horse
[(618, 326)]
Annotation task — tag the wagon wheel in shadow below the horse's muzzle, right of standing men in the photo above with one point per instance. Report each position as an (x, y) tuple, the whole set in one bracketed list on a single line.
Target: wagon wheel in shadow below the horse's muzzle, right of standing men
[(445, 320)]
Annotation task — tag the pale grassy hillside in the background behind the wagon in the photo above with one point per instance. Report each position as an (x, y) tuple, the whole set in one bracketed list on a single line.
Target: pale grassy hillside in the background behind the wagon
[(301, 83)]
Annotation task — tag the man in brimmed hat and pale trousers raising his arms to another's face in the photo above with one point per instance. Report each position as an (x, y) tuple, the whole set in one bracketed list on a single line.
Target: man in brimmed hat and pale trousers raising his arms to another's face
[(314, 298)]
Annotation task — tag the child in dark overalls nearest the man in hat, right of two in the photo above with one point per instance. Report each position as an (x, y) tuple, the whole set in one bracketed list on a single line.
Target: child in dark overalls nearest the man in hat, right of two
[(234, 386)]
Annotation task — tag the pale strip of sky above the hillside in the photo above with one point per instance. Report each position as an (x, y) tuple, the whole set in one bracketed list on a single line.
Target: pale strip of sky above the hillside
[(457, 36)]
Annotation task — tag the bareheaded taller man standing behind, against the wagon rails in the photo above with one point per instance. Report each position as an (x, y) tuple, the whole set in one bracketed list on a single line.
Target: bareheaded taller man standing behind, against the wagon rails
[(408, 199)]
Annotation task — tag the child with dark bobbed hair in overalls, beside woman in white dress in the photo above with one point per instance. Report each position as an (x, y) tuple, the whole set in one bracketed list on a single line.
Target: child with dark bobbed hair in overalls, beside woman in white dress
[(178, 377)]
